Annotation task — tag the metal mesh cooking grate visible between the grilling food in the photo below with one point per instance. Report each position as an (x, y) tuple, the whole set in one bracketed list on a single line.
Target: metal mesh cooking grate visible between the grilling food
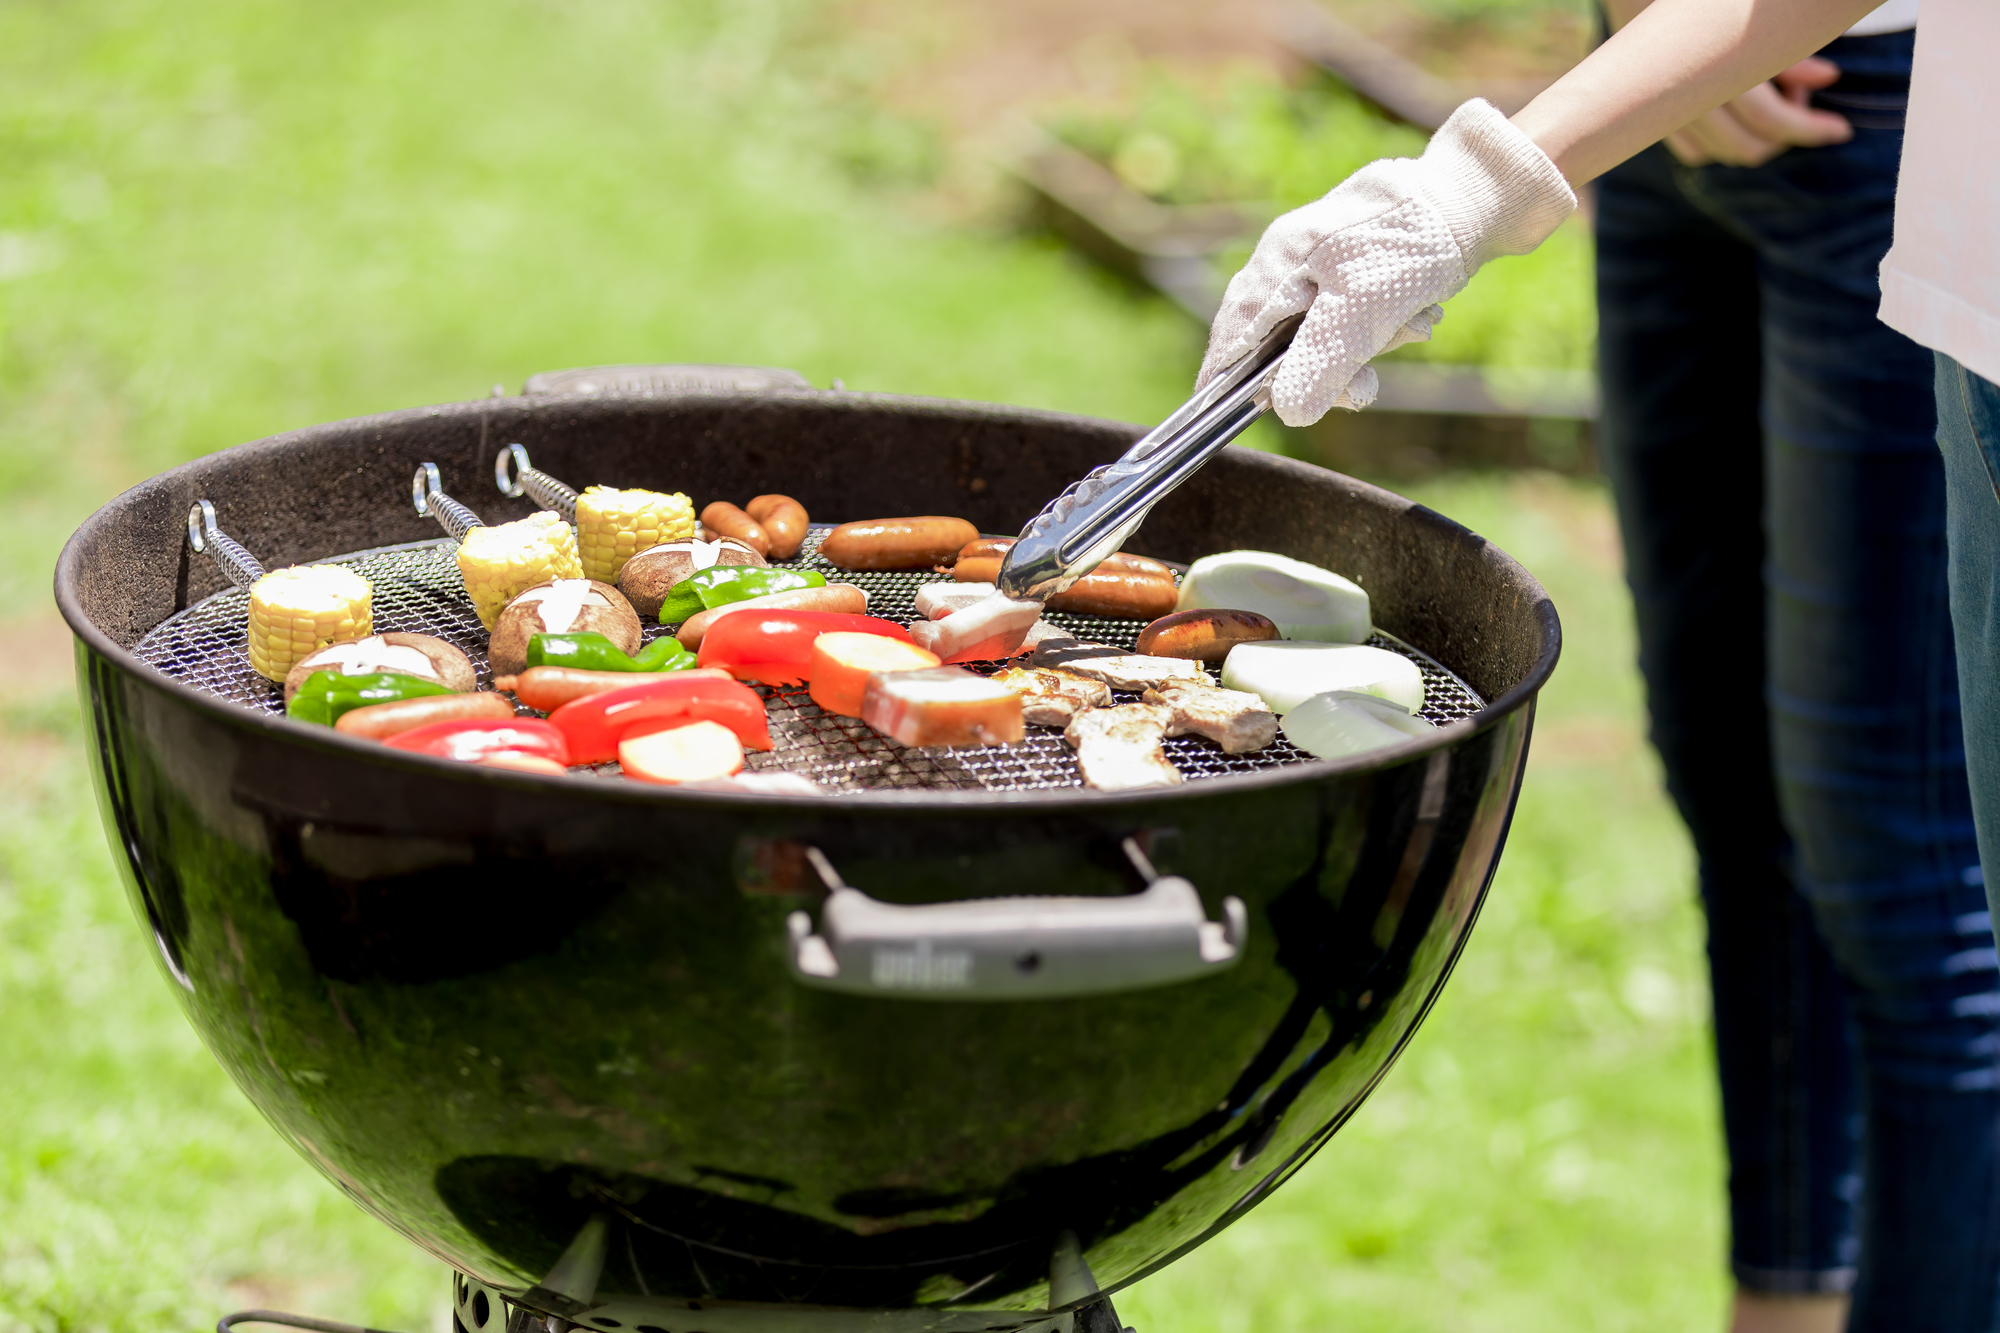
[(417, 589)]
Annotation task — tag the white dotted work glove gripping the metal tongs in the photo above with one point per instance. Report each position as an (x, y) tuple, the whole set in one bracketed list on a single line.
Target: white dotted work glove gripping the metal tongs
[(1371, 261)]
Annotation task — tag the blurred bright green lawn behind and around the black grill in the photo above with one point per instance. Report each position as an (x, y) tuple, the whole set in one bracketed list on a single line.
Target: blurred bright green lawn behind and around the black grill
[(219, 221)]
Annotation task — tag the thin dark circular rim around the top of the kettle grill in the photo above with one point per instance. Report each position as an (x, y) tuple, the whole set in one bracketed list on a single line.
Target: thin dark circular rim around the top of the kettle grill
[(287, 732)]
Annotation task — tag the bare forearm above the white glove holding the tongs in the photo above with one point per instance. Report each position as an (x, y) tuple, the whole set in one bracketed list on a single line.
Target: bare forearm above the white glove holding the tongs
[(1671, 63)]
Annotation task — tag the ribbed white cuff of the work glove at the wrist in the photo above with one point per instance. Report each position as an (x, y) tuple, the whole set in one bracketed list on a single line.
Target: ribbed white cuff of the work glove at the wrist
[(1495, 189)]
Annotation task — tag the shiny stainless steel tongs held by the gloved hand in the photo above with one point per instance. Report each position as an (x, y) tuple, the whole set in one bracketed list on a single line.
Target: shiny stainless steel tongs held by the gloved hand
[(1089, 521)]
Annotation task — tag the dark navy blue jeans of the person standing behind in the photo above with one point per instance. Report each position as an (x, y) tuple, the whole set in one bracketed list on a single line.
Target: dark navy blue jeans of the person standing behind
[(1783, 505)]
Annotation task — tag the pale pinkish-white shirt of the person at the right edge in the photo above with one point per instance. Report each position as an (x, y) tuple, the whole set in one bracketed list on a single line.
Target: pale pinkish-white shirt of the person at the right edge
[(1941, 281)]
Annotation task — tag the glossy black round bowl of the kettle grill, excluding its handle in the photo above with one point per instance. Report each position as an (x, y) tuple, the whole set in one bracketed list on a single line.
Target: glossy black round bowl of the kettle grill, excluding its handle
[(527, 1018)]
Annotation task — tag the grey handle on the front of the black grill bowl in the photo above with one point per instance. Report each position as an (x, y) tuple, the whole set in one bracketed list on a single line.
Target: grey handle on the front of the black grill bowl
[(1013, 950)]
